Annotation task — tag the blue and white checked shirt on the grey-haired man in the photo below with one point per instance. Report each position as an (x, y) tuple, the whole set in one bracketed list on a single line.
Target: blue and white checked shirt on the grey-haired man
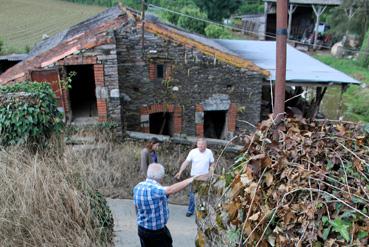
[(151, 205)]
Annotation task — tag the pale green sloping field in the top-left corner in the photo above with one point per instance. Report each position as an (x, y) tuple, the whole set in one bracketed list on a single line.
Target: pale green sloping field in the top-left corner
[(23, 22)]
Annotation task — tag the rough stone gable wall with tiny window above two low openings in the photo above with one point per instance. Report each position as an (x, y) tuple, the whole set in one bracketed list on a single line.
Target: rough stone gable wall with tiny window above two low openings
[(190, 78)]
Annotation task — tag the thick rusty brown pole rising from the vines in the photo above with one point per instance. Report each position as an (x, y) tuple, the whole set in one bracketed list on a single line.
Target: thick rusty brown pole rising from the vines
[(280, 84)]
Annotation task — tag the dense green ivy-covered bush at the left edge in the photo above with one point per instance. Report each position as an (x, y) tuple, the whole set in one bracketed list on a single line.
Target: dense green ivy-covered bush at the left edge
[(28, 114)]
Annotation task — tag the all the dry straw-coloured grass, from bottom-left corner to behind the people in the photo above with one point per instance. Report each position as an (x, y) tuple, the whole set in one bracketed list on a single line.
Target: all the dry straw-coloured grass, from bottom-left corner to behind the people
[(45, 198)]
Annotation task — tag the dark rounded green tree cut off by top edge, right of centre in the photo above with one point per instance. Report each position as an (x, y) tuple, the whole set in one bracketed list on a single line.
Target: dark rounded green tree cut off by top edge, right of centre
[(217, 10)]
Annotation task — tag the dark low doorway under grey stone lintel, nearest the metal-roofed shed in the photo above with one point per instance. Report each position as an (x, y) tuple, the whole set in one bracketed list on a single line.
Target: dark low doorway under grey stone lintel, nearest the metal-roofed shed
[(214, 123)]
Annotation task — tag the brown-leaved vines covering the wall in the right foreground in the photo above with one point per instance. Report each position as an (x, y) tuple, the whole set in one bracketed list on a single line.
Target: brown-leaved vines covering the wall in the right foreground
[(303, 183)]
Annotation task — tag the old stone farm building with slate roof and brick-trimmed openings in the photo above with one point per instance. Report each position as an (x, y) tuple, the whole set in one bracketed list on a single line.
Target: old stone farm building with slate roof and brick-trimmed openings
[(165, 82)]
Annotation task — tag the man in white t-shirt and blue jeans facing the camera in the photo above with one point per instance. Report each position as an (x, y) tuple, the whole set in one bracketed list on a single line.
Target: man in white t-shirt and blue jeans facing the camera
[(202, 159)]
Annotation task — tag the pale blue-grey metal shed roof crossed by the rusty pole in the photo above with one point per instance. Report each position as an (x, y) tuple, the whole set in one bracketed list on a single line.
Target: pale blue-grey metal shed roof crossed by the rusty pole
[(301, 68)]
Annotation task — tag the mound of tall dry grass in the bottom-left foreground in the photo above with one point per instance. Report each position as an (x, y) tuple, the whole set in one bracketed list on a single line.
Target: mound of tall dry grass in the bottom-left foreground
[(41, 205)]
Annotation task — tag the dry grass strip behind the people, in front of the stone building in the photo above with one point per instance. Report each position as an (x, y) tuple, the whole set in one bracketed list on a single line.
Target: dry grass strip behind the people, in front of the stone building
[(113, 167)]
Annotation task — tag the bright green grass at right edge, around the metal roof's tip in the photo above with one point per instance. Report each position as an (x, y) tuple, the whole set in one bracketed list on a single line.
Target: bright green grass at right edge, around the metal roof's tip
[(356, 98)]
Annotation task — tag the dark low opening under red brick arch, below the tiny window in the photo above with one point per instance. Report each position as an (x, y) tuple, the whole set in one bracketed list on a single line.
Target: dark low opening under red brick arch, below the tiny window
[(161, 123)]
